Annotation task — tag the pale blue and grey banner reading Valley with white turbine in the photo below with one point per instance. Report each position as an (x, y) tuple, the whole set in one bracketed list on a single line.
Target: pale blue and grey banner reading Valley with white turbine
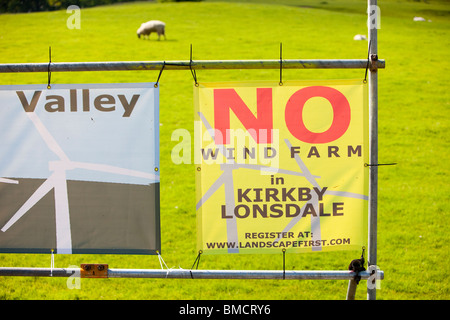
[(80, 161)]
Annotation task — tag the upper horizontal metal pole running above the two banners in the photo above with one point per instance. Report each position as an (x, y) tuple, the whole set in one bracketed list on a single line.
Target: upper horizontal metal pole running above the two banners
[(186, 65)]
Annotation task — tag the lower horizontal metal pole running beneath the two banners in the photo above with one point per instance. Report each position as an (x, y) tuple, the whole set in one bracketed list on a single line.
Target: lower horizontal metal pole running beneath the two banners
[(194, 274)]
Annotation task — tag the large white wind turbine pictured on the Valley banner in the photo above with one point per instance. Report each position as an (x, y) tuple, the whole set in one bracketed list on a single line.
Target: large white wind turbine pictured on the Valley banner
[(58, 181)]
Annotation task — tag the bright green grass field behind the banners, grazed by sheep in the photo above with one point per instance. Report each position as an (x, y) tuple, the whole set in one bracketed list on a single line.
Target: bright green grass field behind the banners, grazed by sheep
[(413, 238)]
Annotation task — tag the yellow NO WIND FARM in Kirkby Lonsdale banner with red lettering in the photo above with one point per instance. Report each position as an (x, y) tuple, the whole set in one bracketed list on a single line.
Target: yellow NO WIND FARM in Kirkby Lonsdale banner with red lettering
[(281, 167)]
